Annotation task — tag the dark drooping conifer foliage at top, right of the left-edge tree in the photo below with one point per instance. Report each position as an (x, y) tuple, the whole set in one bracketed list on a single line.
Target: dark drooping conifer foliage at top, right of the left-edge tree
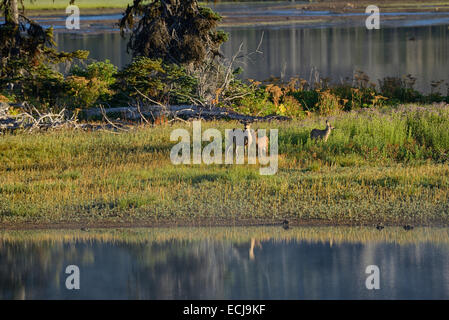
[(179, 32)]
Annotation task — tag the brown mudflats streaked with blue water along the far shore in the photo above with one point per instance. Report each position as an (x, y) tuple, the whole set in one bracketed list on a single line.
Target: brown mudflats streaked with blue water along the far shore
[(279, 14)]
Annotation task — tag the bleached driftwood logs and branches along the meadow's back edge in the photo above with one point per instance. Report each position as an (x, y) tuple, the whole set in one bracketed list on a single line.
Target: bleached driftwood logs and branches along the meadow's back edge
[(31, 119)]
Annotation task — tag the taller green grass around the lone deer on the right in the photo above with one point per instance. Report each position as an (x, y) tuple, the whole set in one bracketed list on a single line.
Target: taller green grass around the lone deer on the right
[(373, 136)]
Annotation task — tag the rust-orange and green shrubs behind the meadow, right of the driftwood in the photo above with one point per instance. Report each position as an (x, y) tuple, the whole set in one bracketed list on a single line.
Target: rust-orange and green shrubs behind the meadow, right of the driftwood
[(324, 98)]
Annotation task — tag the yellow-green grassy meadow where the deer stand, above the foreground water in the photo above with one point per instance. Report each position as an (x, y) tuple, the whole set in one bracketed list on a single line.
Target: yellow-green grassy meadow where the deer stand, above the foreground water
[(379, 166)]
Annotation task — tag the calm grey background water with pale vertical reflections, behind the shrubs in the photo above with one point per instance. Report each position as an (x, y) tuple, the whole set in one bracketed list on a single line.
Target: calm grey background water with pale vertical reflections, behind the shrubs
[(336, 52)]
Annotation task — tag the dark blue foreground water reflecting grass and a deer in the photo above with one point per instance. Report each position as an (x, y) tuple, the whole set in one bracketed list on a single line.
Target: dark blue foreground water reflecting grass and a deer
[(226, 263)]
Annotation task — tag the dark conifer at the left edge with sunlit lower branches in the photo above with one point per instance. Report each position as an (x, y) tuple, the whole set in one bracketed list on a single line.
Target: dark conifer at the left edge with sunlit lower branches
[(27, 53)]
